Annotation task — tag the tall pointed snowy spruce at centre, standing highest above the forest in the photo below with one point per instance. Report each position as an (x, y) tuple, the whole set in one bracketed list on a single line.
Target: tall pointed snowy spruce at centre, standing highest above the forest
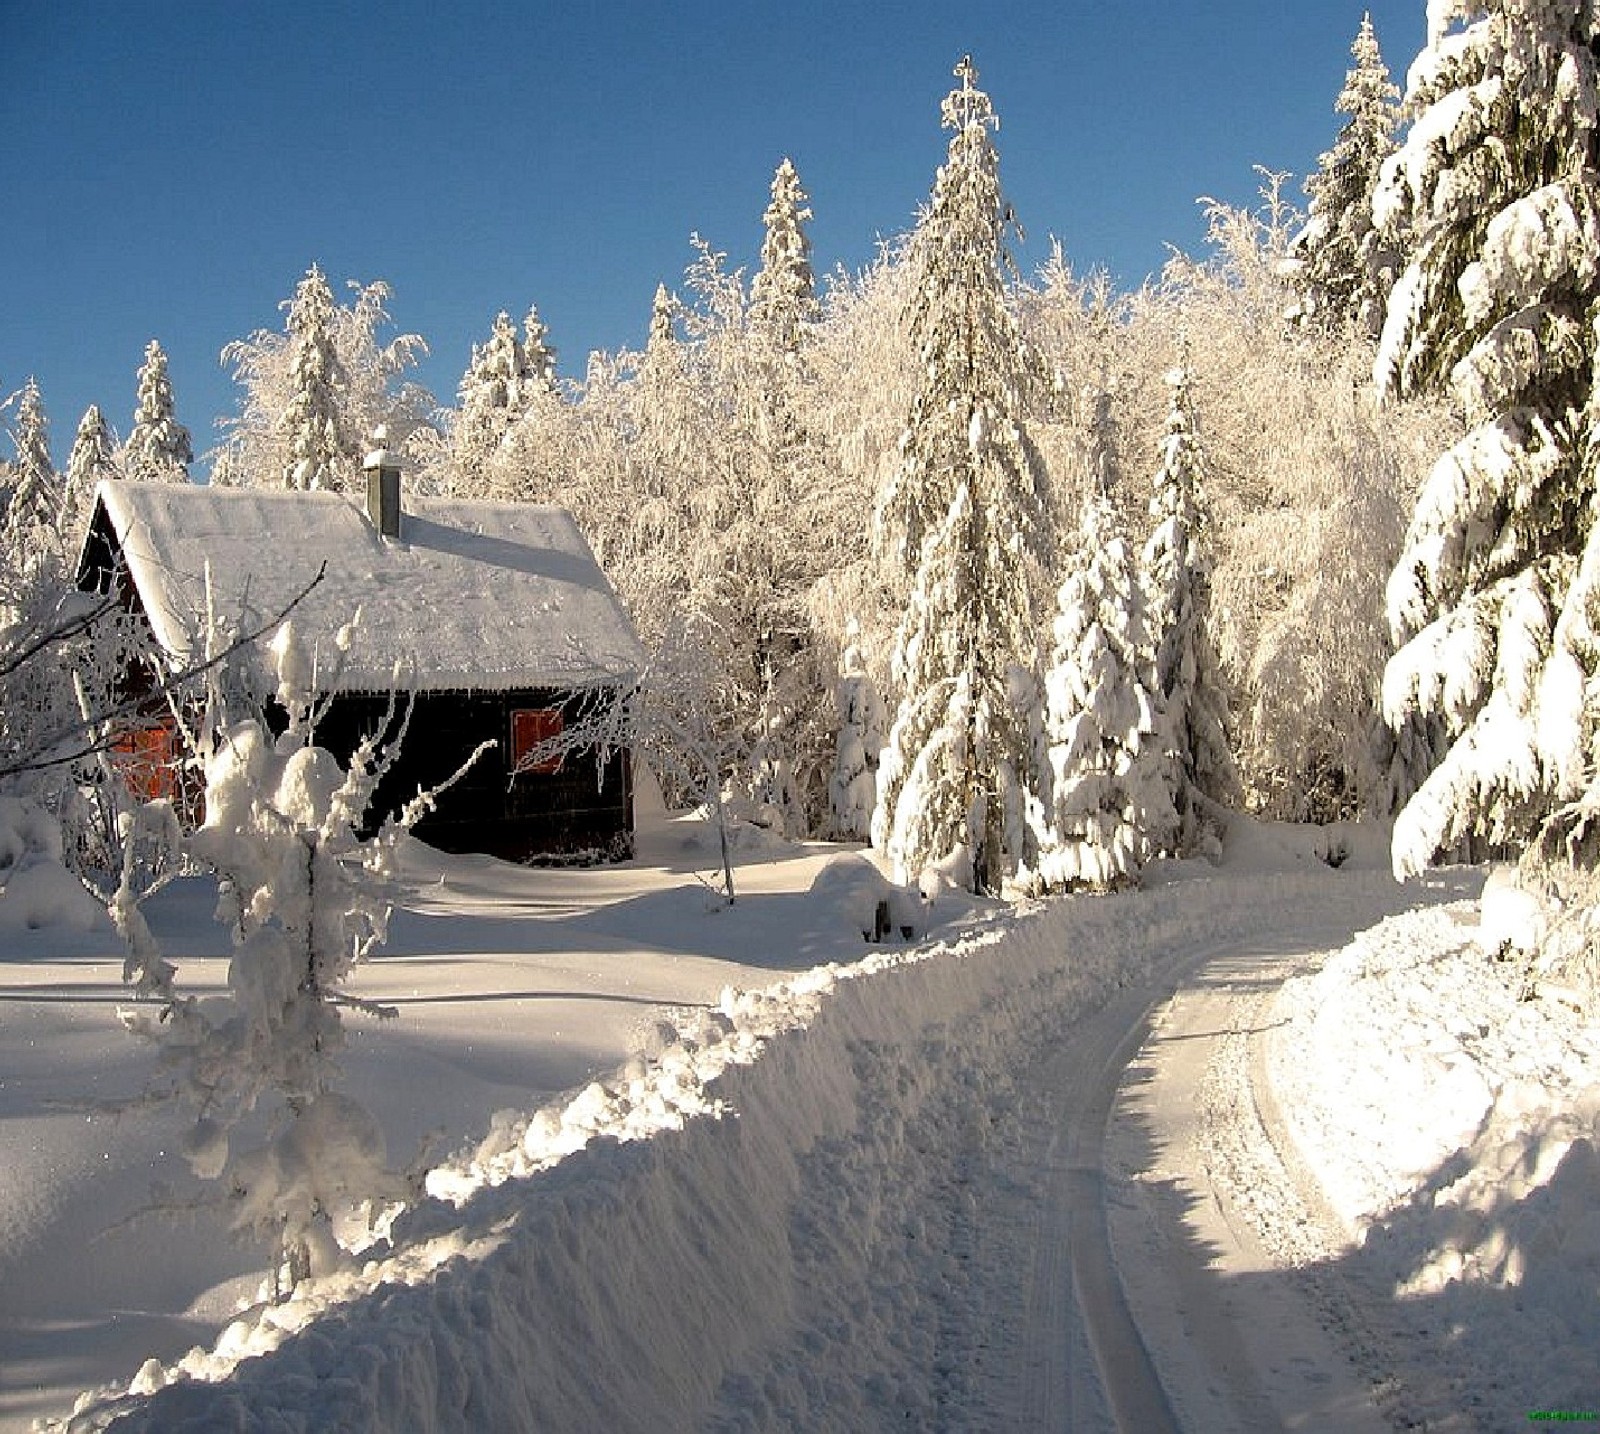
[(964, 518)]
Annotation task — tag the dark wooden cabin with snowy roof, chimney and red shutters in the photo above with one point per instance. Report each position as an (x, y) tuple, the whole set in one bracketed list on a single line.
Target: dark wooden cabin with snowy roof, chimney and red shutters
[(495, 617)]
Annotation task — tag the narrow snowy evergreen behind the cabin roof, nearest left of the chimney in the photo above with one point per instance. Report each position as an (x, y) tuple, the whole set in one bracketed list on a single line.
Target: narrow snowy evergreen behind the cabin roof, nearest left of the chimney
[(321, 447)]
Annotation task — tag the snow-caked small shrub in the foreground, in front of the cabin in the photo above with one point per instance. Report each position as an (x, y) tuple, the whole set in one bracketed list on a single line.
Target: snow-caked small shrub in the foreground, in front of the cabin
[(305, 899)]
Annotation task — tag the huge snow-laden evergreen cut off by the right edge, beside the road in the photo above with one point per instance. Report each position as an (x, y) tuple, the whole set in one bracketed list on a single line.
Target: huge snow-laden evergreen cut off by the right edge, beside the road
[(1495, 598)]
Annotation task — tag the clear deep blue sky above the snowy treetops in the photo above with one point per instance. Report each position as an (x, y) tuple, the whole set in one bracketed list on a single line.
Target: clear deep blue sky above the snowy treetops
[(174, 167)]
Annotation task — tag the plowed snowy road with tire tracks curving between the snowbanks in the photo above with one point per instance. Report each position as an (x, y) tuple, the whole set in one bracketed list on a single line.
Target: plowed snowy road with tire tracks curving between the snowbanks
[(1162, 1182)]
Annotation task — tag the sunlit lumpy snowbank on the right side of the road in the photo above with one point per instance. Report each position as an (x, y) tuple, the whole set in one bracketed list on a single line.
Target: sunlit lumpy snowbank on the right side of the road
[(1455, 1129)]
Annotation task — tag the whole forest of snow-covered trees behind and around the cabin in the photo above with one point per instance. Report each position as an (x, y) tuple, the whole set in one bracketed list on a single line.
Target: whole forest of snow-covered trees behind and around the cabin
[(1022, 579)]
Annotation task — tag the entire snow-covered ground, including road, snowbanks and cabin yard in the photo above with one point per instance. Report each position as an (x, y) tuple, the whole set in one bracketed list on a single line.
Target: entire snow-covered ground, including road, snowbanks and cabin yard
[(732, 1169)]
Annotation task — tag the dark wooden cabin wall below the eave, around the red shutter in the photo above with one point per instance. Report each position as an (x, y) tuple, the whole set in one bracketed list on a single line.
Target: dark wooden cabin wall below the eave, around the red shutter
[(574, 814)]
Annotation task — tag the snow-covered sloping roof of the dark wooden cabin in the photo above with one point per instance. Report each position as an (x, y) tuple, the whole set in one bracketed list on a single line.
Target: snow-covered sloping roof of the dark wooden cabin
[(481, 596)]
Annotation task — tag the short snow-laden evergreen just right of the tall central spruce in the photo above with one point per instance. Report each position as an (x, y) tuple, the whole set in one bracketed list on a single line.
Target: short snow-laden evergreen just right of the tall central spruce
[(1108, 809)]
